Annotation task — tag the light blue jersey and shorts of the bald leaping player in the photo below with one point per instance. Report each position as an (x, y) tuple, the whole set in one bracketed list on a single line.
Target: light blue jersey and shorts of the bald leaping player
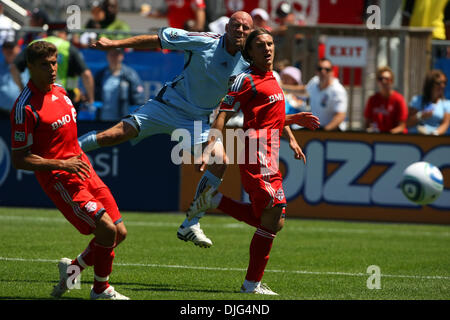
[(188, 100)]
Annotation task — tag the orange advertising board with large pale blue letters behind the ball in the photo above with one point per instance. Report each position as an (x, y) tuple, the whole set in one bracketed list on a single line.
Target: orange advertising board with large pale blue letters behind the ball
[(352, 176)]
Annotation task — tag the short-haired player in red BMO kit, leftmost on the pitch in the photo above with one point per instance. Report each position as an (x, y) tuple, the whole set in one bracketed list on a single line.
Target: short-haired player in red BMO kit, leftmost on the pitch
[(44, 140)]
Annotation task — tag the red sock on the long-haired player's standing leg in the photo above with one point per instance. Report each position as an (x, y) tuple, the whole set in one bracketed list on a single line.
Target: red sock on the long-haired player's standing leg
[(259, 254)]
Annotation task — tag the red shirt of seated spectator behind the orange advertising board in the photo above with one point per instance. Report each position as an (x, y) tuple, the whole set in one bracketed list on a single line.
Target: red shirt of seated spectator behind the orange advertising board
[(386, 113)]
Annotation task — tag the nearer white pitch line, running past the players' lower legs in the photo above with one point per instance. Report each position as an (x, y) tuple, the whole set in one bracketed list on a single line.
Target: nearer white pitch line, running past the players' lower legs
[(241, 269)]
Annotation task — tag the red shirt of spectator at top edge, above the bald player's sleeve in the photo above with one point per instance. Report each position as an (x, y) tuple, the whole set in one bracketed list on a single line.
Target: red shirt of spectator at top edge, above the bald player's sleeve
[(180, 11)]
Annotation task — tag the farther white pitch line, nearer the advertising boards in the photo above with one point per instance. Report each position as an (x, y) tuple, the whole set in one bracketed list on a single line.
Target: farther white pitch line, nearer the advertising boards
[(241, 225)]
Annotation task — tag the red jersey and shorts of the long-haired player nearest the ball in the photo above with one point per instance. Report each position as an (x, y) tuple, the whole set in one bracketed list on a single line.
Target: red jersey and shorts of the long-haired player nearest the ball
[(258, 95)]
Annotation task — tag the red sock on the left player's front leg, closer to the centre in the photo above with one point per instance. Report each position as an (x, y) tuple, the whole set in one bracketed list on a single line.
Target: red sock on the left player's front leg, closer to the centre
[(103, 261)]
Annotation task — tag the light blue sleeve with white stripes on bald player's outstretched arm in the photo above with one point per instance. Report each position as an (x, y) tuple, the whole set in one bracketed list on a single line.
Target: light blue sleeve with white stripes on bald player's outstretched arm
[(179, 39)]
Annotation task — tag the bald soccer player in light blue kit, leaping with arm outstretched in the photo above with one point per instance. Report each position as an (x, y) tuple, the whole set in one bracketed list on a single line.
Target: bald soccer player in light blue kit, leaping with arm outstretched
[(212, 62)]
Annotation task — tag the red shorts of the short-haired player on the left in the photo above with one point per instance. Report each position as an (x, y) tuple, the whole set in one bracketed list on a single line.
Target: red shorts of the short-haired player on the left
[(83, 202)]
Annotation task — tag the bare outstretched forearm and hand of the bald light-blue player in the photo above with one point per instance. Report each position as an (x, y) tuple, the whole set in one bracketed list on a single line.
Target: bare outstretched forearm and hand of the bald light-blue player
[(137, 42)]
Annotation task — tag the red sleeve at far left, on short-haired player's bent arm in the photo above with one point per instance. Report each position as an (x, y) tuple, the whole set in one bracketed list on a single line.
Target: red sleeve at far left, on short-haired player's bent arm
[(23, 121)]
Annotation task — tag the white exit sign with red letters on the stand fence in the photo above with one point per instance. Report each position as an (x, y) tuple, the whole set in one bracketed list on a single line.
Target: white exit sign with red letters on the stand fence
[(345, 51)]
